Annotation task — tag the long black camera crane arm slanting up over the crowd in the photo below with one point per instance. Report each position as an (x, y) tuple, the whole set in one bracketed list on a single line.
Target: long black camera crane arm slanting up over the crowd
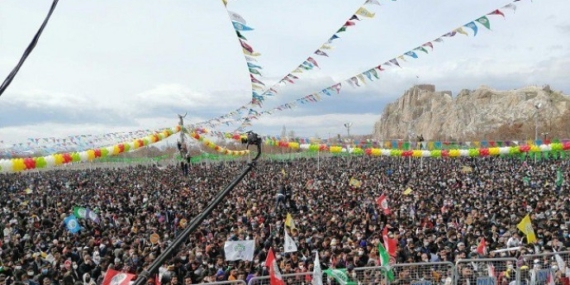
[(193, 225)]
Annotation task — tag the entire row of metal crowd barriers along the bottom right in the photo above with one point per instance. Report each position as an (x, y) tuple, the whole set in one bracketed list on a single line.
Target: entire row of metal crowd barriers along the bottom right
[(537, 269)]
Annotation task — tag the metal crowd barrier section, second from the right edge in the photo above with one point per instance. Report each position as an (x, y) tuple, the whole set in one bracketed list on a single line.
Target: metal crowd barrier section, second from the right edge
[(487, 271)]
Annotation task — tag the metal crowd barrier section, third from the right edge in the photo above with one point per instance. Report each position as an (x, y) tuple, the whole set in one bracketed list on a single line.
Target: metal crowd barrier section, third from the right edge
[(425, 273)]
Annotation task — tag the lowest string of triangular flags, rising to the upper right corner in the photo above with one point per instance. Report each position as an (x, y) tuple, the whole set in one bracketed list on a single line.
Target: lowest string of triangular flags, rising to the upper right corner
[(372, 74)]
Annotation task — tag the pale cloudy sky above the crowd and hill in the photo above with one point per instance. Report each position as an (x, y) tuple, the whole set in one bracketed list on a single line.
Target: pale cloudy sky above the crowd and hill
[(107, 66)]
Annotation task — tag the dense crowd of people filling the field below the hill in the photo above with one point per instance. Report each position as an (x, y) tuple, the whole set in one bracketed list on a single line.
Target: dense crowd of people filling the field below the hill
[(450, 205)]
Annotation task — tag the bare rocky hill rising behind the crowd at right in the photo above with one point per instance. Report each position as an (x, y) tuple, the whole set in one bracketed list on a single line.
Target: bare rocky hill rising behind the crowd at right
[(483, 113)]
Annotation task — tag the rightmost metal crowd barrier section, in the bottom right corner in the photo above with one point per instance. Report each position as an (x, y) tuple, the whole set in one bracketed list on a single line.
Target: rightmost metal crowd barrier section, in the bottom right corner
[(537, 269)]
